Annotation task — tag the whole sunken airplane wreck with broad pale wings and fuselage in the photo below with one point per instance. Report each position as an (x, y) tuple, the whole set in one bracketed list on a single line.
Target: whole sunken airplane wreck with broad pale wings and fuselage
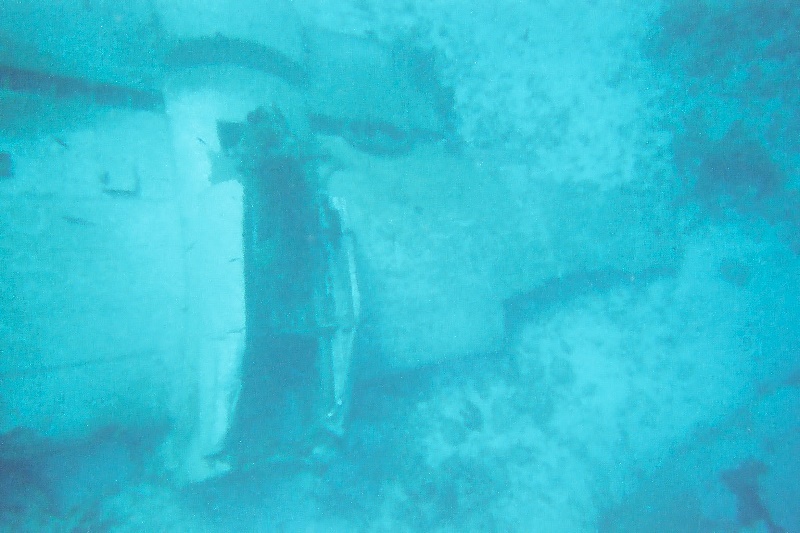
[(242, 214)]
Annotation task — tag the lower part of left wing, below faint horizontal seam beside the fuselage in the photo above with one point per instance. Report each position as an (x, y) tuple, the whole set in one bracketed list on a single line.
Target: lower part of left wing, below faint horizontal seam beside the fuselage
[(92, 300)]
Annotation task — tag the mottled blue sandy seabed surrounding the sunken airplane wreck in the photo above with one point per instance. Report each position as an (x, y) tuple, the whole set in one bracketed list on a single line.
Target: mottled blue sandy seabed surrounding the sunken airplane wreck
[(664, 398)]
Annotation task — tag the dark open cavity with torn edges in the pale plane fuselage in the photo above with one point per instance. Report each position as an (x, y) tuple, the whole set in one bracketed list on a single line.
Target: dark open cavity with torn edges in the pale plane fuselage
[(303, 301)]
